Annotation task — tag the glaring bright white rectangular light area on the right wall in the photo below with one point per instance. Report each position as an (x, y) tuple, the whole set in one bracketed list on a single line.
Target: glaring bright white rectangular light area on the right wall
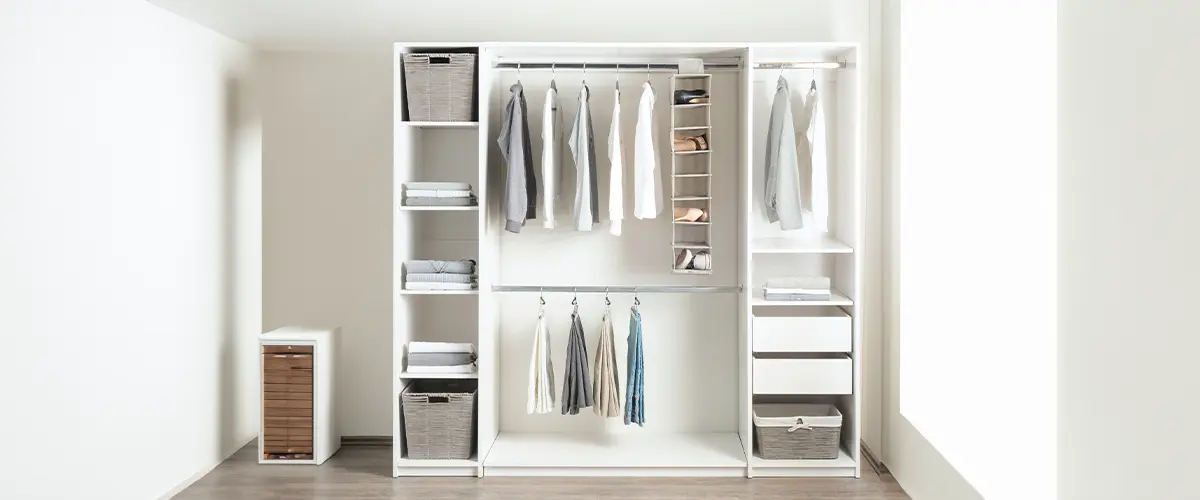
[(979, 238)]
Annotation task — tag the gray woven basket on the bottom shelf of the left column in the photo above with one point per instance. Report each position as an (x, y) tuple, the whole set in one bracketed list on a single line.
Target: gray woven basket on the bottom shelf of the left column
[(440, 419)]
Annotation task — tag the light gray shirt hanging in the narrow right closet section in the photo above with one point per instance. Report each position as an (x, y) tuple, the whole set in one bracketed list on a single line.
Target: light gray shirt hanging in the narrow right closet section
[(782, 192)]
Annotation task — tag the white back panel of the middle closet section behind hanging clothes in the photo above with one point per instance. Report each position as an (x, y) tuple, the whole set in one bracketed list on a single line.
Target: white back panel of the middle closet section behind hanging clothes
[(692, 340)]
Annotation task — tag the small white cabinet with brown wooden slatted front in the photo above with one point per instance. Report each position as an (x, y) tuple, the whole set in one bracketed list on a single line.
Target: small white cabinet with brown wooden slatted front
[(297, 369)]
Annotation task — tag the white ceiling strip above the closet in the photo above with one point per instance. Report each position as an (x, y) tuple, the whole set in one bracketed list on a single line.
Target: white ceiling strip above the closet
[(376, 25)]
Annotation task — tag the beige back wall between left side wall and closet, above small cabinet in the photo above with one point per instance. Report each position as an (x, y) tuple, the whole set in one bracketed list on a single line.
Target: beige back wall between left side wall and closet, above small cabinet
[(327, 208)]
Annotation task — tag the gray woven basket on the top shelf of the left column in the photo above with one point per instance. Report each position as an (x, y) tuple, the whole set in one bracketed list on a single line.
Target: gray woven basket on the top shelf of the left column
[(440, 87)]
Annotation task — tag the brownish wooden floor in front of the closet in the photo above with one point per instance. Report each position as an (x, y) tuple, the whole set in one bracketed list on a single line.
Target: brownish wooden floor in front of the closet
[(364, 473)]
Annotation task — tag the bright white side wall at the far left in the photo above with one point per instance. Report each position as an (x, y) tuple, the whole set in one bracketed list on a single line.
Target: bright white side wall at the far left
[(130, 250)]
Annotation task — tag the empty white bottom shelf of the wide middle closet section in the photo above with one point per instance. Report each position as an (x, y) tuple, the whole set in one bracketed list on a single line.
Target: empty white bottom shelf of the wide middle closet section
[(718, 455)]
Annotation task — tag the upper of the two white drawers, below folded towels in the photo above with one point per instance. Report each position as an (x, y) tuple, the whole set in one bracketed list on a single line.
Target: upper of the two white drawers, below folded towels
[(818, 330)]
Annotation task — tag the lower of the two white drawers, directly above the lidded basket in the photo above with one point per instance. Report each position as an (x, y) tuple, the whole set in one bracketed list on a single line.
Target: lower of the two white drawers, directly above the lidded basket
[(805, 376)]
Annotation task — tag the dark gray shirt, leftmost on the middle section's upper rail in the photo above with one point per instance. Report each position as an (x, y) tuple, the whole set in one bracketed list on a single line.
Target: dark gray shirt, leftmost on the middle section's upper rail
[(520, 185)]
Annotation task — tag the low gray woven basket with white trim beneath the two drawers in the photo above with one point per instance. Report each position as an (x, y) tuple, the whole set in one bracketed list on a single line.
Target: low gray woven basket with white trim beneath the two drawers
[(793, 432)]
